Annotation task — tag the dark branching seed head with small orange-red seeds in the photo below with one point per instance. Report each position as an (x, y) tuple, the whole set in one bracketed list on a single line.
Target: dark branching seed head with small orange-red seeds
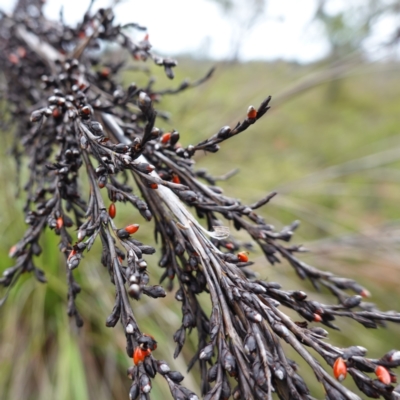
[(74, 119)]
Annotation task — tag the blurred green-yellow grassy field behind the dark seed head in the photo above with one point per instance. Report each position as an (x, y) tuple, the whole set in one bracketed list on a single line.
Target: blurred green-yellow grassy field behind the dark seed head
[(330, 147)]
